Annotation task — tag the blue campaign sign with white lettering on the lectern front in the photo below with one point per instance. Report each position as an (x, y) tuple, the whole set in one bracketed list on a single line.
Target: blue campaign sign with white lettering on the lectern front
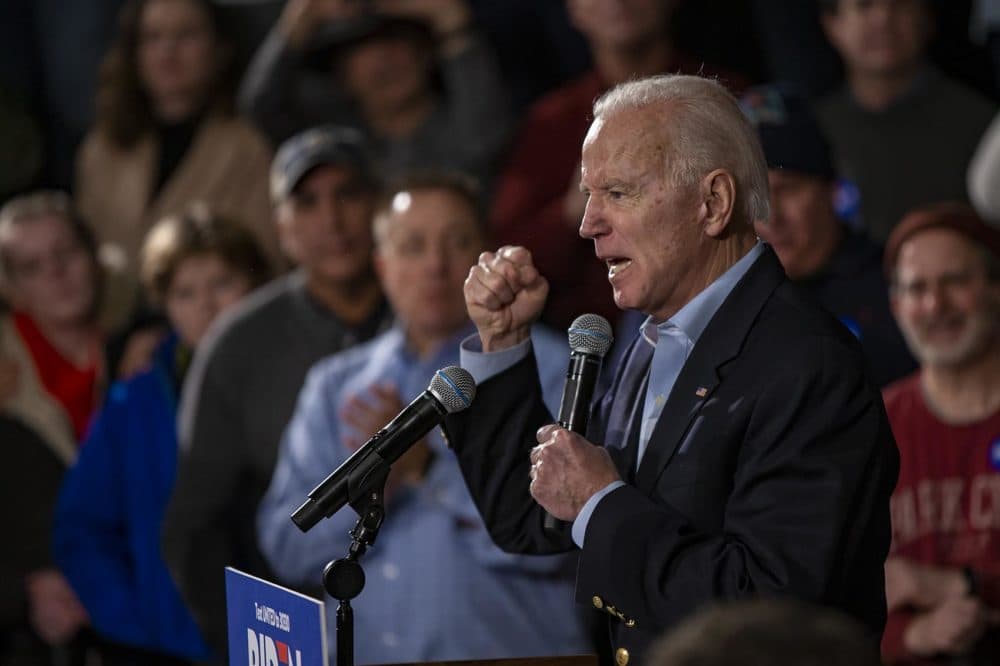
[(270, 625)]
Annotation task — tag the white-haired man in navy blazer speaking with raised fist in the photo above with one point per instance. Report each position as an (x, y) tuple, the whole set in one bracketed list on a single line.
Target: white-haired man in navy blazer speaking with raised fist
[(743, 451)]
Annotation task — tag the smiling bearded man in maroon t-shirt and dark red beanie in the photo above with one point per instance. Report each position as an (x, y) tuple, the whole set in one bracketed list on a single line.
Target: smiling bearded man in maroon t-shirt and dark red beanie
[(943, 571)]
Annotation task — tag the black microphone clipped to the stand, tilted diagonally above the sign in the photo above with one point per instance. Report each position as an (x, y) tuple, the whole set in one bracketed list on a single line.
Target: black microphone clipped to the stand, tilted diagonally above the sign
[(451, 390)]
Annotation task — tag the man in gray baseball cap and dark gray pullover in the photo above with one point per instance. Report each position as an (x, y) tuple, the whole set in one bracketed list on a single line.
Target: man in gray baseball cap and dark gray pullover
[(242, 386)]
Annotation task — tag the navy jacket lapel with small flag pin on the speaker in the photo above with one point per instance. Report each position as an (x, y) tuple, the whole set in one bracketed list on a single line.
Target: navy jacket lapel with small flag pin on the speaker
[(720, 342)]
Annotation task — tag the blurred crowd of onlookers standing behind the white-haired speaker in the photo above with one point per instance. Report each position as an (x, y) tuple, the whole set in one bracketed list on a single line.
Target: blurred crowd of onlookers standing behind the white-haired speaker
[(233, 241)]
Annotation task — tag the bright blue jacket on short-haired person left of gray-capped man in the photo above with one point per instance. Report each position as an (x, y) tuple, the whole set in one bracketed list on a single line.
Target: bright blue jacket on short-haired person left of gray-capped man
[(107, 525)]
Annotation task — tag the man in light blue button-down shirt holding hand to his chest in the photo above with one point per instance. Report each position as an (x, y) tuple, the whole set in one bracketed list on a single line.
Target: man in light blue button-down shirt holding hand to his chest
[(437, 587)]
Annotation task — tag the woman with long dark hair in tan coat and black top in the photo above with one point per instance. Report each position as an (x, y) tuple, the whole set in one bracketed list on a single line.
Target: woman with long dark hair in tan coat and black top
[(165, 133)]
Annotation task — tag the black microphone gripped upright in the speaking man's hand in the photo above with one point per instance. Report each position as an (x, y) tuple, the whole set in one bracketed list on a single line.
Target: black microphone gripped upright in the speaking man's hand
[(590, 338)]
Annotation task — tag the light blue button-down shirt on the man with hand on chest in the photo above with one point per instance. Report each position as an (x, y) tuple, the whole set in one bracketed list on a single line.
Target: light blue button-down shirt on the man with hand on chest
[(437, 587)]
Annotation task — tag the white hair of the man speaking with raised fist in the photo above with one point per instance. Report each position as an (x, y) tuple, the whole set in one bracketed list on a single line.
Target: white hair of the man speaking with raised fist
[(707, 131)]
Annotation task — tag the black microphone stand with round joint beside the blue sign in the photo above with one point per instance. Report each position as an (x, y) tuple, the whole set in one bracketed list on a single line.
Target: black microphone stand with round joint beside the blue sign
[(344, 579)]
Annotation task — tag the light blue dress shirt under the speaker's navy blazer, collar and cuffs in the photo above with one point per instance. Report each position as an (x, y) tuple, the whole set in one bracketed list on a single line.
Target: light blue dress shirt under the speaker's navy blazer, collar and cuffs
[(673, 341)]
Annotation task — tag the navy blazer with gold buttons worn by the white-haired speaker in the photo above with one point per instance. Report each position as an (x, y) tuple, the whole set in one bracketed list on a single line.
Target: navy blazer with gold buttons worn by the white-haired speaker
[(768, 473)]
